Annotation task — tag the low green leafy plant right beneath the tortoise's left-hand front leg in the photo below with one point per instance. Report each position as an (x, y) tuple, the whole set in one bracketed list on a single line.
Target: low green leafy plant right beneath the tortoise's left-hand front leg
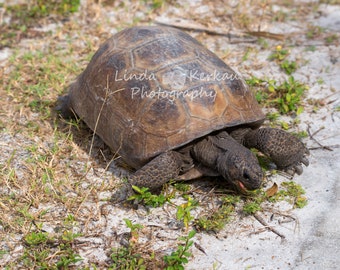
[(144, 196)]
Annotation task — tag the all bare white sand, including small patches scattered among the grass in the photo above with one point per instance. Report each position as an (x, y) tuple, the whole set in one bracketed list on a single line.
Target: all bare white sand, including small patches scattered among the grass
[(312, 240)]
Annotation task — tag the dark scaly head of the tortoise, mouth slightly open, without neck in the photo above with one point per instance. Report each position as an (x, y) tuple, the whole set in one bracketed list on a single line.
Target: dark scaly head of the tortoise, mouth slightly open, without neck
[(241, 168)]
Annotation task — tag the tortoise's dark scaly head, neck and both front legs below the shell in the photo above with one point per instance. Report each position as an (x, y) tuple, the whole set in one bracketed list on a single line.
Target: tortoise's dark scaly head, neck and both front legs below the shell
[(225, 155)]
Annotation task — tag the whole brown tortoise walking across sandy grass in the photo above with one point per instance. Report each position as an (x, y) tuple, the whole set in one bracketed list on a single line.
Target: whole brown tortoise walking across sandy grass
[(173, 110)]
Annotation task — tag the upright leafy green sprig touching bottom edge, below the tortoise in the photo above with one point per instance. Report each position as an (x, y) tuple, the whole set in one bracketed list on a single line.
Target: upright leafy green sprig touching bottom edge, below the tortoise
[(176, 259)]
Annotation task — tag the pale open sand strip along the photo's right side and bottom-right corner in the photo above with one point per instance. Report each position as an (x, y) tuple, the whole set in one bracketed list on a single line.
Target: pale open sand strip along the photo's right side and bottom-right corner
[(315, 244)]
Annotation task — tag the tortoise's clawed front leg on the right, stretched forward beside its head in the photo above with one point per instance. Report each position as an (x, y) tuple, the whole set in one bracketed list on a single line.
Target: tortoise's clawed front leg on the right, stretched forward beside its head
[(284, 149)]
